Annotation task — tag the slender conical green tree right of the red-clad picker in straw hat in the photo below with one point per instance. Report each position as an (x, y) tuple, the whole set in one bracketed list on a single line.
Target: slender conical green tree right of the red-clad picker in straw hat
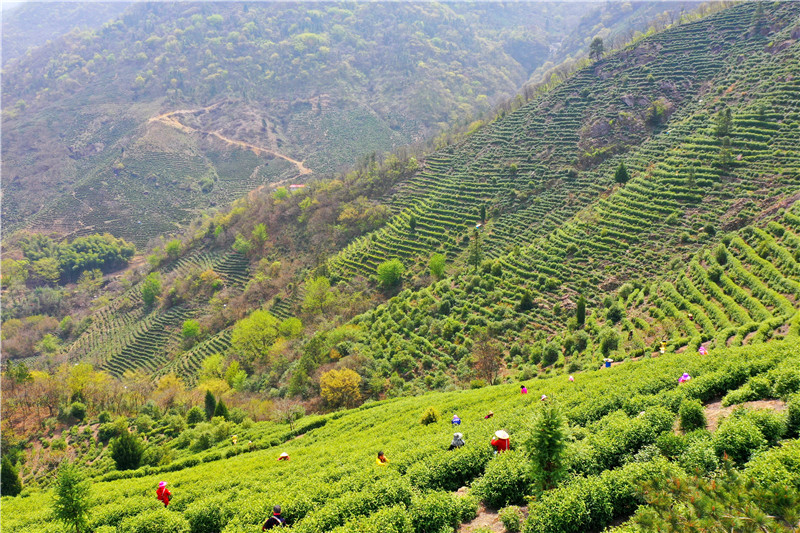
[(546, 444)]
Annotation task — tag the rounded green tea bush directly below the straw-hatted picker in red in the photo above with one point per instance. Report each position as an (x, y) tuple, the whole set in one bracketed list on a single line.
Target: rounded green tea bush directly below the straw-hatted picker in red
[(506, 481)]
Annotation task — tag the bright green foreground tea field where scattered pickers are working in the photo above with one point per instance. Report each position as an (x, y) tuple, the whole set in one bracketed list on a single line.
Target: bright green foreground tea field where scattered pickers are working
[(620, 435)]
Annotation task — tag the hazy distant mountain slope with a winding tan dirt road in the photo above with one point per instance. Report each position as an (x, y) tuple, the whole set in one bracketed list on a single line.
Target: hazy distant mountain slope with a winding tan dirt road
[(213, 100)]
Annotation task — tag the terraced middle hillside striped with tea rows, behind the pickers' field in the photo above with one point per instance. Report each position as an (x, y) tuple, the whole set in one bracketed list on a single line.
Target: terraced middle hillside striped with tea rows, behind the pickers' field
[(557, 225)]
